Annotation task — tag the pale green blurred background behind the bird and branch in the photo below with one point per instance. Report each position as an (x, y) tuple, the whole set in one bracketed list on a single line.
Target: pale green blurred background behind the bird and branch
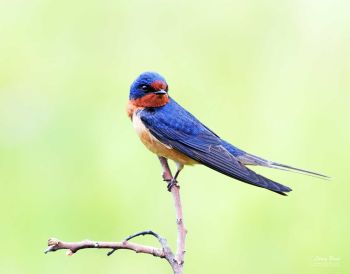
[(270, 76)]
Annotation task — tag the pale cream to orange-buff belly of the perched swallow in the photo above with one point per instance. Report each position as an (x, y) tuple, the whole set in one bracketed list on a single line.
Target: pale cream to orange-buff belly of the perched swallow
[(157, 147)]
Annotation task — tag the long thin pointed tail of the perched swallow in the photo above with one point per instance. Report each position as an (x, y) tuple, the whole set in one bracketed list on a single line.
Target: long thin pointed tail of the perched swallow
[(249, 159)]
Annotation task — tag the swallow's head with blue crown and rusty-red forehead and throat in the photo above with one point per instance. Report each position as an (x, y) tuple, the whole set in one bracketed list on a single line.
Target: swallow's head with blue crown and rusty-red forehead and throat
[(149, 90)]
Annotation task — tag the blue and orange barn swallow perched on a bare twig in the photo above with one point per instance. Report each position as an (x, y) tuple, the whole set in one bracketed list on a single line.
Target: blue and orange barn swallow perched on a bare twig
[(171, 132)]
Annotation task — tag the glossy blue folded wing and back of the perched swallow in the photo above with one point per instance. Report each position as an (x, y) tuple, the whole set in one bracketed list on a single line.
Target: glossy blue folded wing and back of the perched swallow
[(186, 134)]
